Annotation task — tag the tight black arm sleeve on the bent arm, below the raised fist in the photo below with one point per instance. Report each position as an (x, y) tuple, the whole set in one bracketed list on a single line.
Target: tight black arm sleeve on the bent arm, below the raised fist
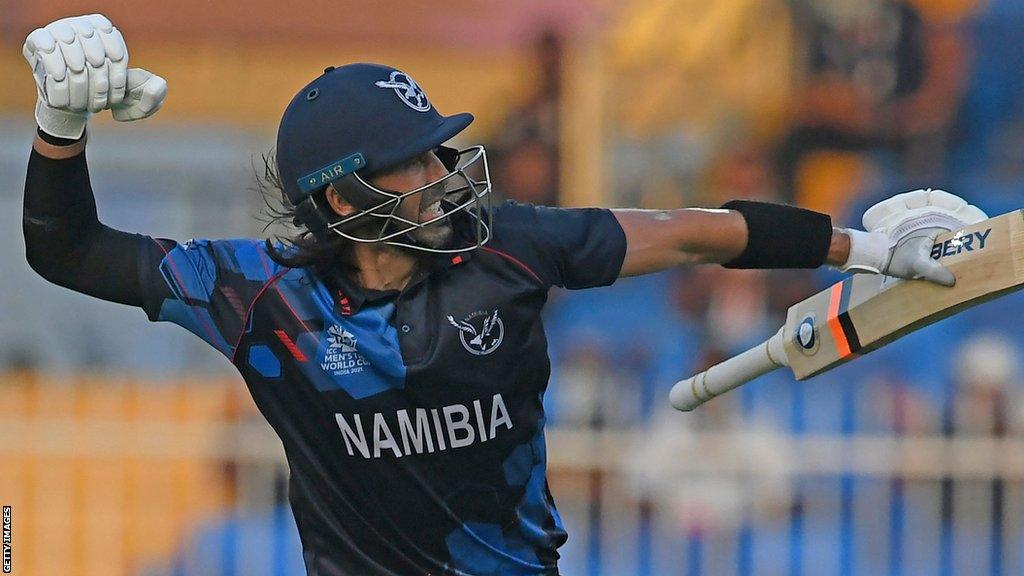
[(67, 244)]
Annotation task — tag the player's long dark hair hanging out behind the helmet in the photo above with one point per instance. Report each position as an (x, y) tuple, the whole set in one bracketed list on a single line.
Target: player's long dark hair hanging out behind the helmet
[(302, 248)]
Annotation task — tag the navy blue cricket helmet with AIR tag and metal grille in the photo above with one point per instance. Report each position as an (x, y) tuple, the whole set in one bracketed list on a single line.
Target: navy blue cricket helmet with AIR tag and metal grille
[(355, 121)]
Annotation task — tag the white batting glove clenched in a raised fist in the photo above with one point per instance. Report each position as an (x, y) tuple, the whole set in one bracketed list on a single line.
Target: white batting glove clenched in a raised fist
[(81, 67)]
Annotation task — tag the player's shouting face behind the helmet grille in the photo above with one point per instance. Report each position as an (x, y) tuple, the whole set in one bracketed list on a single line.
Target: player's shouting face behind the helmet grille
[(421, 208)]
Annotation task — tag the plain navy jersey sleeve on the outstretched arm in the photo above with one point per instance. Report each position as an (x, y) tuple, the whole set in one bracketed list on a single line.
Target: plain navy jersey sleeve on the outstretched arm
[(569, 248)]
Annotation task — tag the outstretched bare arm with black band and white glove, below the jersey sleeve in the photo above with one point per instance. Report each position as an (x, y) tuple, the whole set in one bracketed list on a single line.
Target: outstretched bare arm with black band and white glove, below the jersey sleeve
[(756, 235)]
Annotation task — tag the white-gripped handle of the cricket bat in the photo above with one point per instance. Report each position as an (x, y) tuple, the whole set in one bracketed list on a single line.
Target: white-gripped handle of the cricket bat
[(739, 371)]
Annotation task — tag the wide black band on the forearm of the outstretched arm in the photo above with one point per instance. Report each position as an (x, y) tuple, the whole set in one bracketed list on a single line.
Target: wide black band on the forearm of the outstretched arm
[(782, 237)]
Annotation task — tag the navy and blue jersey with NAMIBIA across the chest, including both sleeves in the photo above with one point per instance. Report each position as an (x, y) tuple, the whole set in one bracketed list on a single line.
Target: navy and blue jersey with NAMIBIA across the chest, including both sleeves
[(413, 422)]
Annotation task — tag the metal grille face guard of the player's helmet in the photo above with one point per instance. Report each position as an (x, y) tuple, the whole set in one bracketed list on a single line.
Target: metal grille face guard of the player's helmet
[(463, 197)]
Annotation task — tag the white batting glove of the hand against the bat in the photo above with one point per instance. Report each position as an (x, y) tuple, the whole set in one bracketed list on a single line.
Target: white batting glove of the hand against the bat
[(902, 231)]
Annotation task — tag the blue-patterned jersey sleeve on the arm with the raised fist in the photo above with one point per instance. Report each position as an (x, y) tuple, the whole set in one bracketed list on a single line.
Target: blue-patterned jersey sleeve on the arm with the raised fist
[(206, 286)]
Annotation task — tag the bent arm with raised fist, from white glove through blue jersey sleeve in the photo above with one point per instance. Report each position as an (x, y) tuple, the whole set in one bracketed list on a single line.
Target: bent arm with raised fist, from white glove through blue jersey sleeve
[(80, 65)]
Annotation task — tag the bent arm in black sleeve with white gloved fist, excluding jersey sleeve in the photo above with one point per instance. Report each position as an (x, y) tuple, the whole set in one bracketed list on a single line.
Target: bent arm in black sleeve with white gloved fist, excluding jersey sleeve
[(80, 68)]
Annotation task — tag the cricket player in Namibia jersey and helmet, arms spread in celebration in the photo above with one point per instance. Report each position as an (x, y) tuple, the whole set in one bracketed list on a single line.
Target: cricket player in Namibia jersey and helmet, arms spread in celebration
[(396, 346)]
